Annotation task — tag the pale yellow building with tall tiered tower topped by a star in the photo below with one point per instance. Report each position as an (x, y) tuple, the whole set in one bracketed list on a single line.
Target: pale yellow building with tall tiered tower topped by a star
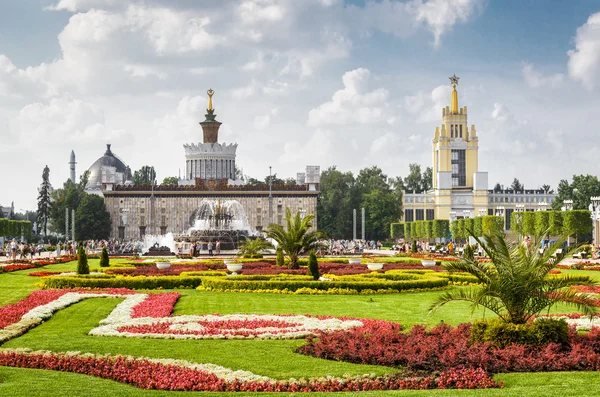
[(459, 189)]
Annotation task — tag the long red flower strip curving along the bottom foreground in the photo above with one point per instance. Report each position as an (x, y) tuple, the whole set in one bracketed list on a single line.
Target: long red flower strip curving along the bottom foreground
[(152, 375)]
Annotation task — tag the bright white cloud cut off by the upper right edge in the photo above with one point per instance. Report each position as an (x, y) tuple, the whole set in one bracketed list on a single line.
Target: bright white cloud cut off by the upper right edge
[(584, 60)]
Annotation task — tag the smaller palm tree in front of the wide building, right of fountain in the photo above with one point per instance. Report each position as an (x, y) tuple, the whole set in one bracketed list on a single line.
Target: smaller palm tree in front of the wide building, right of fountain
[(296, 238)]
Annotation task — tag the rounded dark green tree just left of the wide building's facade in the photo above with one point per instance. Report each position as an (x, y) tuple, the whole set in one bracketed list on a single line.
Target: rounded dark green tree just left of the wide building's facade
[(91, 218)]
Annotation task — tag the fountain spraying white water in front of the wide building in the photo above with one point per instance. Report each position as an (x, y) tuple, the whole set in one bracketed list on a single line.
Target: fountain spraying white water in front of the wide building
[(214, 221)]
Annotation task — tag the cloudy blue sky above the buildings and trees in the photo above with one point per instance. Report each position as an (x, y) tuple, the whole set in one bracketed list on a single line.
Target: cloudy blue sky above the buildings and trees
[(350, 84)]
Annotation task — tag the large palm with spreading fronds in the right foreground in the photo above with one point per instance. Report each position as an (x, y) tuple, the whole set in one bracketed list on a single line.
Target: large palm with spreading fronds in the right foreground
[(517, 284)]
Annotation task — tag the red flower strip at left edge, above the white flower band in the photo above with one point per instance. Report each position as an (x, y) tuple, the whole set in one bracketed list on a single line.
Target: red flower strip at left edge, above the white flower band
[(11, 314)]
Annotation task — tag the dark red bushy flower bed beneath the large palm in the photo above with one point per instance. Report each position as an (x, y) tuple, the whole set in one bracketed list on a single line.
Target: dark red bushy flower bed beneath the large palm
[(445, 347)]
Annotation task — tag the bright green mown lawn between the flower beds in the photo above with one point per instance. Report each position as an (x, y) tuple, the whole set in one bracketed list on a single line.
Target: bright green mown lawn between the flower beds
[(67, 331)]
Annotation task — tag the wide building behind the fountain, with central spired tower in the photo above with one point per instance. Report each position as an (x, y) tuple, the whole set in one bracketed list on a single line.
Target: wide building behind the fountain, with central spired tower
[(209, 176)]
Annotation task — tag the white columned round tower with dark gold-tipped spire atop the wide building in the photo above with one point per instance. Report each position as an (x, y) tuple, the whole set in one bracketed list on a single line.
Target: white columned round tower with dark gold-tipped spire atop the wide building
[(209, 159)]
